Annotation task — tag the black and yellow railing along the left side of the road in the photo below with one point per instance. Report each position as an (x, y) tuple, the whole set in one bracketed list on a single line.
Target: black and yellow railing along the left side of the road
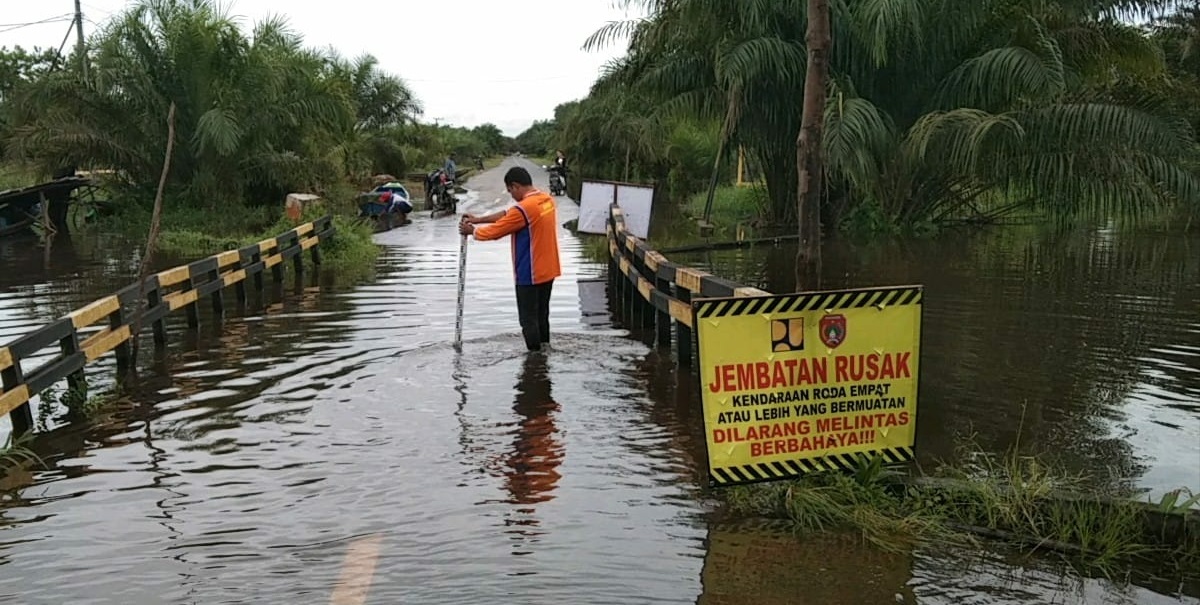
[(167, 291)]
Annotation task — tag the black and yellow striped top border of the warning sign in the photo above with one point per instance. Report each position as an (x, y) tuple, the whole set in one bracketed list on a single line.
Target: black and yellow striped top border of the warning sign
[(879, 298)]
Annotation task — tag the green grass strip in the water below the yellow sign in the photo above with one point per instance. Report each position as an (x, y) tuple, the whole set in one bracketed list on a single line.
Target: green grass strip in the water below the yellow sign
[(1018, 500)]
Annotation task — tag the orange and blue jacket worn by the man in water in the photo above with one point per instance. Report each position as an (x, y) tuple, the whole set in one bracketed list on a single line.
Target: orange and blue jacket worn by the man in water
[(535, 238)]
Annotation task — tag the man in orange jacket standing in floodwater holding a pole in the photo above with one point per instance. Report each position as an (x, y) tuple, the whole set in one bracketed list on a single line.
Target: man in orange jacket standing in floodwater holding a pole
[(535, 232)]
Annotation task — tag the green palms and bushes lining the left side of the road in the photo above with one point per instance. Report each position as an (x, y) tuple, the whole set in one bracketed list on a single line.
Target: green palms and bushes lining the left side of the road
[(259, 116)]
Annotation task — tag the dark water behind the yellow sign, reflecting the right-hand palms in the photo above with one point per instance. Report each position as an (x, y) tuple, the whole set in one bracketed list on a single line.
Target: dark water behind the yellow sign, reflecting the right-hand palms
[(1084, 346)]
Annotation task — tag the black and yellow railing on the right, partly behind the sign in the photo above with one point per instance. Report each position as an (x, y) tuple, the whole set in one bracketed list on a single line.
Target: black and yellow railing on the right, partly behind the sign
[(653, 292)]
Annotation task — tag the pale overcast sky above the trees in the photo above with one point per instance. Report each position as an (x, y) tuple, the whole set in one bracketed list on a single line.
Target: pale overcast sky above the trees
[(470, 63)]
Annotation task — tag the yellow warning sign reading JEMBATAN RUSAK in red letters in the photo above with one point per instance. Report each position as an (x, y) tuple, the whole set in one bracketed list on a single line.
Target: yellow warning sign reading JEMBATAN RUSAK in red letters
[(801, 384)]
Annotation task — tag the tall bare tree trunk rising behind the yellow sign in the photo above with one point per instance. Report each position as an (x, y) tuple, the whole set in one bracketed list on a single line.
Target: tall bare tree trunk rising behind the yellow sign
[(808, 146)]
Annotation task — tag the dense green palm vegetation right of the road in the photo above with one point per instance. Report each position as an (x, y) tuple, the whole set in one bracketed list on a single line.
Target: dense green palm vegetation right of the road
[(939, 113)]
